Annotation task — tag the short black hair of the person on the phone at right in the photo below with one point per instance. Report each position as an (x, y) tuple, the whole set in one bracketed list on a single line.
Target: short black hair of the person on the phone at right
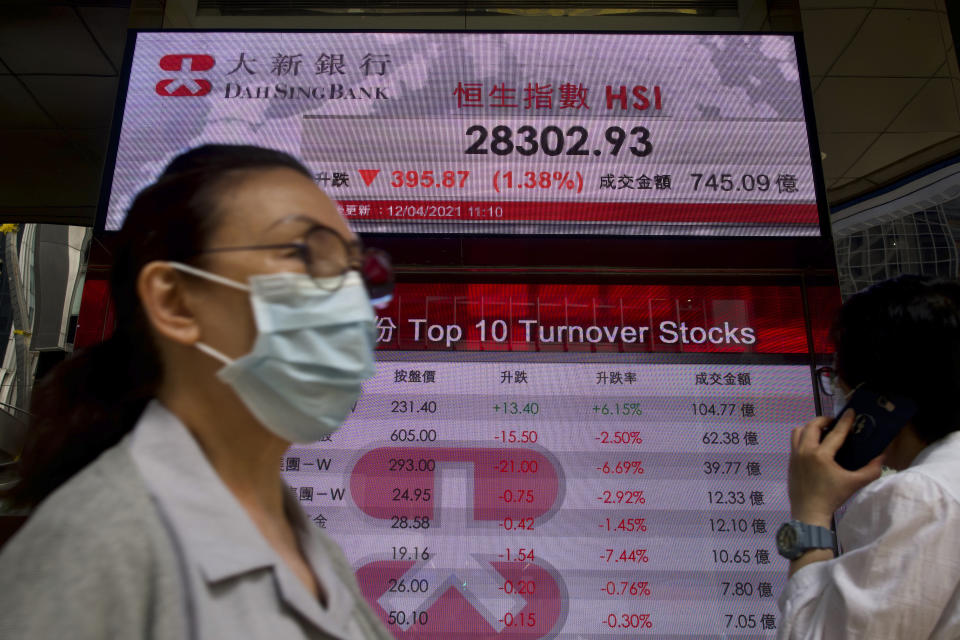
[(902, 337)]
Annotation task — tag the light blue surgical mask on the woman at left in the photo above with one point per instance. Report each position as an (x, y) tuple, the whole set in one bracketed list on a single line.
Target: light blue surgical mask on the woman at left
[(313, 350)]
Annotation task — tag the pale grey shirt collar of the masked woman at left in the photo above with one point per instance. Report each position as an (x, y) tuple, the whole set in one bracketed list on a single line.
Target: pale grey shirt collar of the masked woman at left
[(212, 527)]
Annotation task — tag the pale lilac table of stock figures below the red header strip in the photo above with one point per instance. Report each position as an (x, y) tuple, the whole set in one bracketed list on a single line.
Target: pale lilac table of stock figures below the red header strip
[(596, 499)]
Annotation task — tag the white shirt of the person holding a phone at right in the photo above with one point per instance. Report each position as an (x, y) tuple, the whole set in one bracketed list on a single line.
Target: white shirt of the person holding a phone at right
[(899, 575)]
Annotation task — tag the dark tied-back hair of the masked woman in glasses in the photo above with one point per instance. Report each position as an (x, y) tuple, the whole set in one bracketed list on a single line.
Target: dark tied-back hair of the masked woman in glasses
[(88, 403)]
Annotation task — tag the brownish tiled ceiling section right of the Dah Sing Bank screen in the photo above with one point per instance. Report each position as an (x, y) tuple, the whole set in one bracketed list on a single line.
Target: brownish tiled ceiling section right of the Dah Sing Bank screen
[(886, 89)]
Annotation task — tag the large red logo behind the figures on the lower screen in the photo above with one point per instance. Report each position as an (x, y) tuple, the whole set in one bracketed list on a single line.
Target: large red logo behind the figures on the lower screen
[(456, 606)]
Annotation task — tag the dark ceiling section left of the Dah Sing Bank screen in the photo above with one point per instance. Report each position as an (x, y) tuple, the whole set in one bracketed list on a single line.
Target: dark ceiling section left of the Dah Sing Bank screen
[(58, 79)]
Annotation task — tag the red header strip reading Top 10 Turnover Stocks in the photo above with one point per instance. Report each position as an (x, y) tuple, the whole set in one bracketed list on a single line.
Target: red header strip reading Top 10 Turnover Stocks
[(594, 318)]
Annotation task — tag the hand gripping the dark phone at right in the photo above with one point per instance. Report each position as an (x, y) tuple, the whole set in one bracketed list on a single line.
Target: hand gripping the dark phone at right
[(818, 485)]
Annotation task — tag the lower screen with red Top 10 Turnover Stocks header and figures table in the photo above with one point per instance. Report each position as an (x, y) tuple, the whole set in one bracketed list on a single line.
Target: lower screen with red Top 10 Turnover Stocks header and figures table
[(569, 461)]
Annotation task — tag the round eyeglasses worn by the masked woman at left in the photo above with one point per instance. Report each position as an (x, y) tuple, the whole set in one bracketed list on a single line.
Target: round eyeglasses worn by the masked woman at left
[(328, 257)]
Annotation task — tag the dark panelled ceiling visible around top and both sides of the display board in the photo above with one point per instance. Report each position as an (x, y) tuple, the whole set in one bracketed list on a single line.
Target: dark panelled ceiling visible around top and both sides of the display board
[(884, 75)]
